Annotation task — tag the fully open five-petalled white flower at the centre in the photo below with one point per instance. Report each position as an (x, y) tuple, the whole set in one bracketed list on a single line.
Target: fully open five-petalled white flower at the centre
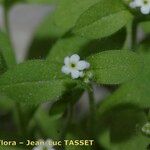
[(74, 66)]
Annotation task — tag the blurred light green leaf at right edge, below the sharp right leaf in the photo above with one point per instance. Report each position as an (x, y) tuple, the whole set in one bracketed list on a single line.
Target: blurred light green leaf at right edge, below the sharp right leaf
[(135, 92)]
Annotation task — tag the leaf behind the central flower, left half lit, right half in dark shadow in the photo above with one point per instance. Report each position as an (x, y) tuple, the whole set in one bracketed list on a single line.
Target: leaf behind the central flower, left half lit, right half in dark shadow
[(74, 44)]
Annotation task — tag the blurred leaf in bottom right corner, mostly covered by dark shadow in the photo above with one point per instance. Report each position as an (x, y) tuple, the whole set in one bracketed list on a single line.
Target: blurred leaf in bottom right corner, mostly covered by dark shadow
[(123, 128)]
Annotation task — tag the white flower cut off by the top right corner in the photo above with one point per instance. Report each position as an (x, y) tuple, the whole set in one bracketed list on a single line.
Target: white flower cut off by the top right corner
[(144, 5)]
